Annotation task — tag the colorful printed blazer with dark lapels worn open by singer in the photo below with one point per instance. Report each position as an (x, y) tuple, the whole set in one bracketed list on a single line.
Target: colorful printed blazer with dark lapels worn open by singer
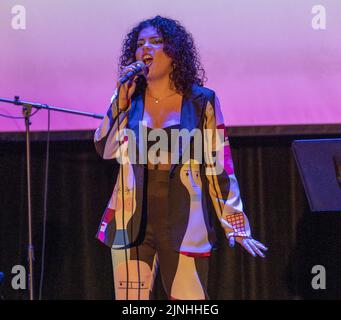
[(196, 189)]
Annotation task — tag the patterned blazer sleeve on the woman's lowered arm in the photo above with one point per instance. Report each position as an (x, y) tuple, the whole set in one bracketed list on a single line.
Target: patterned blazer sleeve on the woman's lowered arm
[(222, 183)]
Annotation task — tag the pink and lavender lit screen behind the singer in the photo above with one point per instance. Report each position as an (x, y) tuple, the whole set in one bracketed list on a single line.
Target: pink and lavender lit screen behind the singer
[(274, 62)]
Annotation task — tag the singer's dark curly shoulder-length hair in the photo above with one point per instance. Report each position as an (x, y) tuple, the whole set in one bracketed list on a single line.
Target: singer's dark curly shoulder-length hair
[(178, 45)]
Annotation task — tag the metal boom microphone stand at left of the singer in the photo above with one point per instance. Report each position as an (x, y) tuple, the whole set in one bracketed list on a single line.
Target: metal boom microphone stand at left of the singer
[(26, 110)]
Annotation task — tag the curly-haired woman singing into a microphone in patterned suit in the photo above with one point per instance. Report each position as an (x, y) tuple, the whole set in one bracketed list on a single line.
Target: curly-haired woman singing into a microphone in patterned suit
[(168, 135)]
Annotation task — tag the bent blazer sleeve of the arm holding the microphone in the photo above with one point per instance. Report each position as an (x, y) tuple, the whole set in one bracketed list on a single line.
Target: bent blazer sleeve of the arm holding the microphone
[(111, 130)]
